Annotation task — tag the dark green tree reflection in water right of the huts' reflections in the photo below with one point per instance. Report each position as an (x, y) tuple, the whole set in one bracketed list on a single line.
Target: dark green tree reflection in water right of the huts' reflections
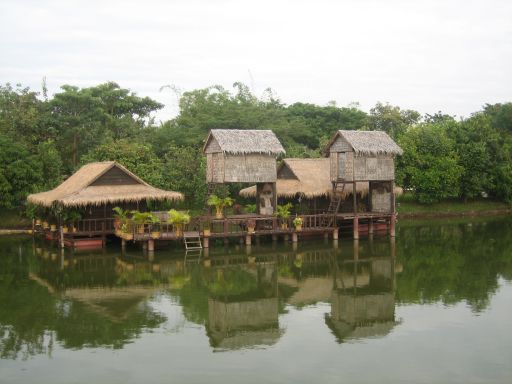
[(454, 262)]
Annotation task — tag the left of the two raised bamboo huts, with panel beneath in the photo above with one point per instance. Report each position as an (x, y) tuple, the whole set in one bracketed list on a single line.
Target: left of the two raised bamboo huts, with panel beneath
[(245, 156)]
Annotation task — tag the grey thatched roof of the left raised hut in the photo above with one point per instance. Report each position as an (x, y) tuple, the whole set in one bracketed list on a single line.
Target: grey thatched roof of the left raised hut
[(245, 141)]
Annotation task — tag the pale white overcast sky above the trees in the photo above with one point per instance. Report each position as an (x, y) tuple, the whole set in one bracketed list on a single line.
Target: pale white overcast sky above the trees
[(452, 56)]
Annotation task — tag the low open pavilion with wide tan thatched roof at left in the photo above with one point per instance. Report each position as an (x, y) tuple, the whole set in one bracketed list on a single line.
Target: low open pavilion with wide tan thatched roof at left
[(79, 213)]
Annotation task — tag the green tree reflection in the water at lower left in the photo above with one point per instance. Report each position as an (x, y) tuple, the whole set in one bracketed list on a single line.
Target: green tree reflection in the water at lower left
[(32, 319)]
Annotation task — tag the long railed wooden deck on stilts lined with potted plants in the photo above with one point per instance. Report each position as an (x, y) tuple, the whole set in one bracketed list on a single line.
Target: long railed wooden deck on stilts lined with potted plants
[(93, 232)]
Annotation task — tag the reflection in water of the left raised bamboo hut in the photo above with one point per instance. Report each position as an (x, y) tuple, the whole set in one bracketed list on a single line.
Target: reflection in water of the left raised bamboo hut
[(247, 320)]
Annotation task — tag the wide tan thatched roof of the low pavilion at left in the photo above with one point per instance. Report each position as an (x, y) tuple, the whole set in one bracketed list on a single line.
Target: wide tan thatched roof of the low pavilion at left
[(78, 190)]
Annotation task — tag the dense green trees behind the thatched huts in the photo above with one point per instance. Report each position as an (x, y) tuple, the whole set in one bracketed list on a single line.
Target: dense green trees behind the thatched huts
[(43, 140)]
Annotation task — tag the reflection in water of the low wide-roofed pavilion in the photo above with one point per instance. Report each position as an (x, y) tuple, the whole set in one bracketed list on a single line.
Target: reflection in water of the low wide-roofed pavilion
[(107, 285)]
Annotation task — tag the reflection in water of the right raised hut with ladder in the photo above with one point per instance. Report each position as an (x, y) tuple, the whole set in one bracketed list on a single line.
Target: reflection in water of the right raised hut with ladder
[(362, 309)]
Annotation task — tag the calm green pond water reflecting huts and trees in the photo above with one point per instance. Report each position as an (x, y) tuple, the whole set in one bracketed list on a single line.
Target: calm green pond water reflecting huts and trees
[(435, 306)]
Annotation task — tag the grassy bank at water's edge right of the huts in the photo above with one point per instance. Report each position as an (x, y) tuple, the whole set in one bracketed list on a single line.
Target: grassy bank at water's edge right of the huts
[(406, 206)]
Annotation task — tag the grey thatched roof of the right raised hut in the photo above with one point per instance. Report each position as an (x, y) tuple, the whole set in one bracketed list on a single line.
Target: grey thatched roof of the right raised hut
[(368, 142)]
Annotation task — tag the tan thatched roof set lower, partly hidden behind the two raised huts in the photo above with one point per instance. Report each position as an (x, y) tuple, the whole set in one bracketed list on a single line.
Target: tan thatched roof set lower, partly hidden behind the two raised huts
[(311, 179)]
